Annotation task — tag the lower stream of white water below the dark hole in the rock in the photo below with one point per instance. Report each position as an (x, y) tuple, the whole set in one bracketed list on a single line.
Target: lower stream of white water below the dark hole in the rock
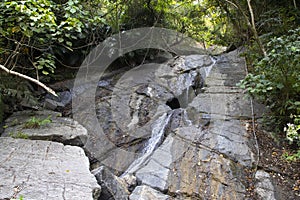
[(158, 130)]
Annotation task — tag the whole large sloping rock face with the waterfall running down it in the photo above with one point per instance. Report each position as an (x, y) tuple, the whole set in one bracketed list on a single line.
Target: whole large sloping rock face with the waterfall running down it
[(178, 127)]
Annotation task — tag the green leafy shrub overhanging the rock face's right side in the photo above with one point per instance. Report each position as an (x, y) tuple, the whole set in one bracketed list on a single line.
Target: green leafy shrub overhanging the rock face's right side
[(277, 79)]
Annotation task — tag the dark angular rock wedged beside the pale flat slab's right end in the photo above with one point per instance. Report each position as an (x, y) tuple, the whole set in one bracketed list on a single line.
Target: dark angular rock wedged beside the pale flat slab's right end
[(113, 188)]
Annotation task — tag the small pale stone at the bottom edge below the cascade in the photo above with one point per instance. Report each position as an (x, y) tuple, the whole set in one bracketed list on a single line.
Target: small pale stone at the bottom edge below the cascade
[(147, 193)]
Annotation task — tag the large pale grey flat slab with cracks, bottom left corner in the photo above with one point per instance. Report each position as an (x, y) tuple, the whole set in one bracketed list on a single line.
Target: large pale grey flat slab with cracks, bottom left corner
[(44, 170)]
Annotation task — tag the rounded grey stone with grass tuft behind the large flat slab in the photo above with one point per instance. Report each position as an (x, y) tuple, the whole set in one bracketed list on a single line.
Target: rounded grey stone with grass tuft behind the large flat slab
[(60, 129)]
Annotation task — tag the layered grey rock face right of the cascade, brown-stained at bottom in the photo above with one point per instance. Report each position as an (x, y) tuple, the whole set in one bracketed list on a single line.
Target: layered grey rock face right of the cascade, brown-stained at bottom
[(206, 159)]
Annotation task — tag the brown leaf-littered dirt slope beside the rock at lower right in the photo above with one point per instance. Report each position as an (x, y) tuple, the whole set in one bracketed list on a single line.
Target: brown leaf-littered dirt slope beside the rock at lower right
[(285, 174)]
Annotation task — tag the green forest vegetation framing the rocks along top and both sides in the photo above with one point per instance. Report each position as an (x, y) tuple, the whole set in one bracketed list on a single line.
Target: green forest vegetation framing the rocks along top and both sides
[(39, 38)]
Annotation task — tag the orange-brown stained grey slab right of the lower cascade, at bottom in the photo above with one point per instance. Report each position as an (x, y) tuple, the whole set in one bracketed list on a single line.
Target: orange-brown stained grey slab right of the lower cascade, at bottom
[(181, 166)]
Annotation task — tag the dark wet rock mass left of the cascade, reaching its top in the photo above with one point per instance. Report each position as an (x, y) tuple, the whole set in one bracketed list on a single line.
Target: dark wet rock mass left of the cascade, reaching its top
[(126, 116)]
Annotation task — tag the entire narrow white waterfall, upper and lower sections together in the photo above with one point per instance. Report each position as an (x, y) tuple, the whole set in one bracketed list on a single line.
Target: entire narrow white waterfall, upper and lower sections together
[(185, 83)]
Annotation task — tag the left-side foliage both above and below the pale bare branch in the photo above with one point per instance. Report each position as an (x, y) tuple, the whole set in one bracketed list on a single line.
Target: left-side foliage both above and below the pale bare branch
[(33, 36)]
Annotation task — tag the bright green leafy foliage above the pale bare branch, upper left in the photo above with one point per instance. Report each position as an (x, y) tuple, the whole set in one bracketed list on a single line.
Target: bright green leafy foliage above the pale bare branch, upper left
[(38, 29)]
